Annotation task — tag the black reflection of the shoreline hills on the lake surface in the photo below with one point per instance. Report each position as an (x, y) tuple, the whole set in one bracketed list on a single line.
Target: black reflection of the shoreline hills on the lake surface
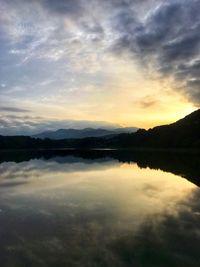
[(185, 164)]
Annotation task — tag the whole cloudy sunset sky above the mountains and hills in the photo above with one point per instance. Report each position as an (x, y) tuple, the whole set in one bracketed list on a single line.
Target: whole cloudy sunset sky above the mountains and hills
[(97, 63)]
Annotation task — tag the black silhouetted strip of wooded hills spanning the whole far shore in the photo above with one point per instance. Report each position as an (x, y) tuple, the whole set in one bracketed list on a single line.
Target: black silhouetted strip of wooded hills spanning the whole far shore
[(183, 134)]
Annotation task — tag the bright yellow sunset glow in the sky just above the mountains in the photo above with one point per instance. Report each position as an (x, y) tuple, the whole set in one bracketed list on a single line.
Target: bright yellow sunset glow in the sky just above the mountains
[(130, 98)]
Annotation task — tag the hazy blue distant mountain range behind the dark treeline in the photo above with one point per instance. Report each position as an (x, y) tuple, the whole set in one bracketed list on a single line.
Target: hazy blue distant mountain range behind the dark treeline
[(82, 133)]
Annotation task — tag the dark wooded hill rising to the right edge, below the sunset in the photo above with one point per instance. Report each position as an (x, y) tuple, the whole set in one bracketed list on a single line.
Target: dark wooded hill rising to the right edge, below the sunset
[(184, 134)]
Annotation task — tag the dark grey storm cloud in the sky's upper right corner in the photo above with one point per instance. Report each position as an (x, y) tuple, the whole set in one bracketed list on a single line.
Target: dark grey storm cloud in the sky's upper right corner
[(168, 37)]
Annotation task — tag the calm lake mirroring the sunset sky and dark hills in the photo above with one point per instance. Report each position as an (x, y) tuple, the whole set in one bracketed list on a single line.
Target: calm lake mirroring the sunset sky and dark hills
[(99, 208)]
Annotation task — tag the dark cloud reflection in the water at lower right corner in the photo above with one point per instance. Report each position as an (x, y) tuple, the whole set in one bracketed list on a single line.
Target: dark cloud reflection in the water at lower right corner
[(175, 241)]
